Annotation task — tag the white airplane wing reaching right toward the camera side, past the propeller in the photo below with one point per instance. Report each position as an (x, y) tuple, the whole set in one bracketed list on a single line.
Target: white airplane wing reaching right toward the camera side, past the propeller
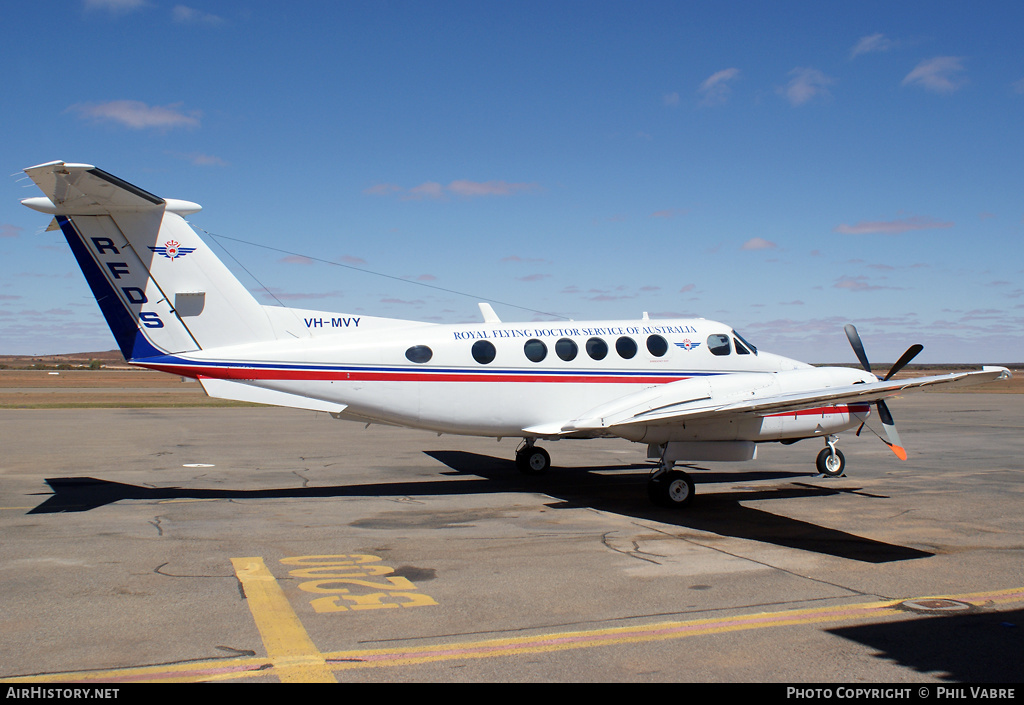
[(692, 399)]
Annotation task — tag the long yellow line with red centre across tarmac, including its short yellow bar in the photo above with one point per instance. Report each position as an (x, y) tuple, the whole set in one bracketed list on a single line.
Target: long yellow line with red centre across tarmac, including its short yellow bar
[(294, 653)]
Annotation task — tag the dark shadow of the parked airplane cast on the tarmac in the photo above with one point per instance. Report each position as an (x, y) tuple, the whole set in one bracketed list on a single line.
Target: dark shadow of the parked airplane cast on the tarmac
[(619, 490)]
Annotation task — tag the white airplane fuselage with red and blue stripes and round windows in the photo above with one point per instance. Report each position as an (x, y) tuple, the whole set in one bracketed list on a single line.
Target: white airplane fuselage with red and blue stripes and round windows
[(517, 380)]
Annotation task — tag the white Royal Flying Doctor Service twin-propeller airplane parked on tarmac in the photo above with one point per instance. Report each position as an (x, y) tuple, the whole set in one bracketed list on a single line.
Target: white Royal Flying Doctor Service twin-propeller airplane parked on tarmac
[(692, 390)]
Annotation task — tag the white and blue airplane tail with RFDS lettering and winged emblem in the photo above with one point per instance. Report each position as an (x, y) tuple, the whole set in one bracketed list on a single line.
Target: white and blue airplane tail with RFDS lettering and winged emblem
[(160, 287)]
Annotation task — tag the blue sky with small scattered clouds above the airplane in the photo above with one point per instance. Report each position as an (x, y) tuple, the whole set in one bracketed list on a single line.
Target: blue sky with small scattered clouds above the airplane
[(784, 168)]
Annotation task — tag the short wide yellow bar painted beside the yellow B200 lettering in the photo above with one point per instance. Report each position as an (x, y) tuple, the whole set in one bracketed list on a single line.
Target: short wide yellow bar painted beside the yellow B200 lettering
[(295, 657)]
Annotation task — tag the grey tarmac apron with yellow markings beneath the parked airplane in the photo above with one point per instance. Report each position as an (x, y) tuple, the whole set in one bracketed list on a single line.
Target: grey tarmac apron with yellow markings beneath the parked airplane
[(258, 545)]
